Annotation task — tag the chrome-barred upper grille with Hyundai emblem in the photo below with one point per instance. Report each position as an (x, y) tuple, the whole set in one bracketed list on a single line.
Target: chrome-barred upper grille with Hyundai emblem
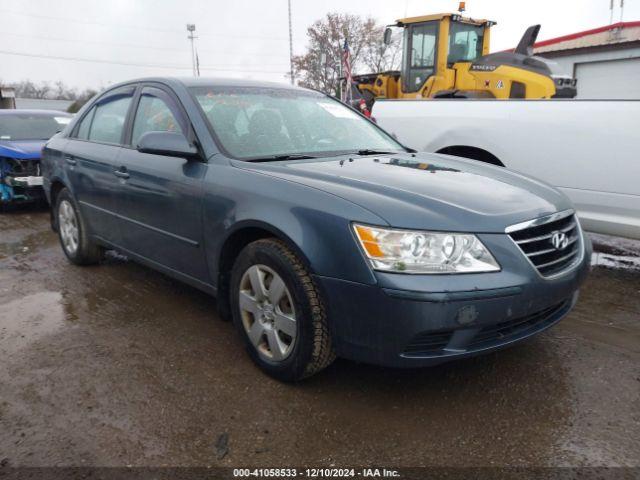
[(552, 244)]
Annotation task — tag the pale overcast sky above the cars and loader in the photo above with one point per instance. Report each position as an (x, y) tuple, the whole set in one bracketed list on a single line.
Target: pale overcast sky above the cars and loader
[(92, 43)]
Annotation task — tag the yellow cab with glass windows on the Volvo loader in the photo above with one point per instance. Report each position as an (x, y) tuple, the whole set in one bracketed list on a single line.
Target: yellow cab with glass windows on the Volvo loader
[(433, 44)]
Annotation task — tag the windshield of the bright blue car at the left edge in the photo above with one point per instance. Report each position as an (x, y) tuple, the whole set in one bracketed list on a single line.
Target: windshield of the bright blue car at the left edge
[(31, 126)]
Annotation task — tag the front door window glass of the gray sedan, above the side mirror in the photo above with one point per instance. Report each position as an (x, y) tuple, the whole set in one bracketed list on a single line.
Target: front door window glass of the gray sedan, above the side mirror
[(155, 114)]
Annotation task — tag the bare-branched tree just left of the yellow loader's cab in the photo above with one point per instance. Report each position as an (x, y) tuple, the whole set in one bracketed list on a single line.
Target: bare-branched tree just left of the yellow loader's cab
[(320, 67)]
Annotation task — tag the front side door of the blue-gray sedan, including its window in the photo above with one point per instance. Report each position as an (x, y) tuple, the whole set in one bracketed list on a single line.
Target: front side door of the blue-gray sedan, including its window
[(161, 202)]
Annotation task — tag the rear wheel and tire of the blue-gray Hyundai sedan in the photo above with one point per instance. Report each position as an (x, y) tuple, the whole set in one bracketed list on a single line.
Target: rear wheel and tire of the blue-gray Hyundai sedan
[(70, 225)]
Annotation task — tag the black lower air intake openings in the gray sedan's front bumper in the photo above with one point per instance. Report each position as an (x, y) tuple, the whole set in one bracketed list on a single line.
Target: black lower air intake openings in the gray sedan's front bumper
[(431, 344)]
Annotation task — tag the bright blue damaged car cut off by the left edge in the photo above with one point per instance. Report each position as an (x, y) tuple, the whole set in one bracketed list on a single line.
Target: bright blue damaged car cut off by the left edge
[(23, 133)]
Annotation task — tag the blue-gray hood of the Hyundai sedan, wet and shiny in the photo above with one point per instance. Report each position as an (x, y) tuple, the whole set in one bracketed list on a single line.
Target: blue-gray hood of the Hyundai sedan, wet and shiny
[(427, 191)]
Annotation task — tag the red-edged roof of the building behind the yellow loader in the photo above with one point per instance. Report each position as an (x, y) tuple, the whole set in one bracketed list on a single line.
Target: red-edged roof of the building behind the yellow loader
[(614, 34)]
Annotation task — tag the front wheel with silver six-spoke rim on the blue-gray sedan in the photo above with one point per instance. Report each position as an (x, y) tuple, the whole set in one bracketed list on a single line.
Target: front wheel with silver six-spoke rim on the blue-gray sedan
[(303, 347)]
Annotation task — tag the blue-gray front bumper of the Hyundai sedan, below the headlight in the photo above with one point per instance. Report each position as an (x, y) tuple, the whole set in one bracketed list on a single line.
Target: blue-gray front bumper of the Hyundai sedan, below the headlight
[(421, 320)]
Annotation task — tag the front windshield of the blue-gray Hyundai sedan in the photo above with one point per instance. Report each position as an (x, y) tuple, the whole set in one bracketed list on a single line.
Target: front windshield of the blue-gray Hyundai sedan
[(262, 123)]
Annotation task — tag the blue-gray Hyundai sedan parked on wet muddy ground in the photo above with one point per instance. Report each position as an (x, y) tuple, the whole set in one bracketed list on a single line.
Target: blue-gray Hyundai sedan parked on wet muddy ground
[(319, 233)]
